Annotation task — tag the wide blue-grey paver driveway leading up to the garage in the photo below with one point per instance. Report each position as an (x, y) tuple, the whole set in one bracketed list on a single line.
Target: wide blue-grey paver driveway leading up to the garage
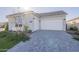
[(47, 41)]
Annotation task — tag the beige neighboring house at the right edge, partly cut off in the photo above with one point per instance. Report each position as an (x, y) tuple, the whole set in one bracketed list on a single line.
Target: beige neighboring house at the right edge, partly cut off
[(73, 22)]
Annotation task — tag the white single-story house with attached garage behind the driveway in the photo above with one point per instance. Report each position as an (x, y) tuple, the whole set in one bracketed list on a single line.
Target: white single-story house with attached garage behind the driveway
[(37, 21)]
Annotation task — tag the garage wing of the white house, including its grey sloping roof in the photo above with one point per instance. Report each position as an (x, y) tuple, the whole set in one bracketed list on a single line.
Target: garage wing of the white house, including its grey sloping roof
[(51, 21)]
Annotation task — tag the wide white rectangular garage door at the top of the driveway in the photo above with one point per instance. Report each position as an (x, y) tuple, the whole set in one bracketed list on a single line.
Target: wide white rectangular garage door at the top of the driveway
[(52, 24)]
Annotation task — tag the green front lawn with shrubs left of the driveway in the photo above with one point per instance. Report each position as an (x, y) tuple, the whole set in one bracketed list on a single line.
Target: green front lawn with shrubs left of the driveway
[(10, 39)]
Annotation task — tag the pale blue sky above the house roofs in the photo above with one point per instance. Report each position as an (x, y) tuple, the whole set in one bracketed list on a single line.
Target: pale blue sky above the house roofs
[(72, 11)]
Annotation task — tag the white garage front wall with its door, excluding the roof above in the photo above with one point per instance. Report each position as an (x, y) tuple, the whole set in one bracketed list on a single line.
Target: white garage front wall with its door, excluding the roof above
[(52, 23)]
